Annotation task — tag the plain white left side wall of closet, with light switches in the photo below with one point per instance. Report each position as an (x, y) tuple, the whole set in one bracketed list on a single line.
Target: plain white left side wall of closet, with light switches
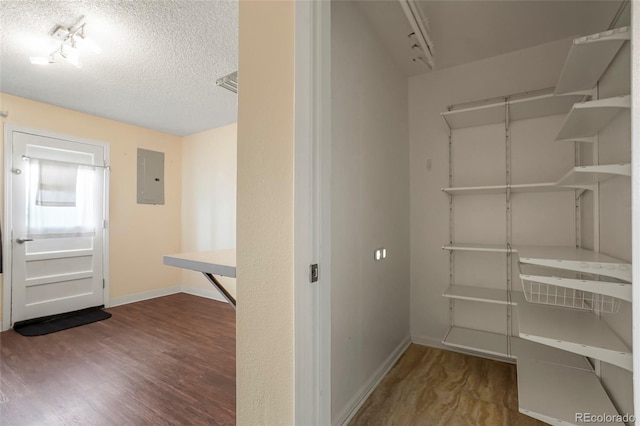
[(370, 209)]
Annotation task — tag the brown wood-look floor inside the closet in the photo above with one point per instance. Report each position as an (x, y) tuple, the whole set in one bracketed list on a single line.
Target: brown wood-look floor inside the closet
[(429, 386)]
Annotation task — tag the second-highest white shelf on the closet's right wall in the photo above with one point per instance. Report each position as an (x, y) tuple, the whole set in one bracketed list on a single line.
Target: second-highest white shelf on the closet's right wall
[(586, 119)]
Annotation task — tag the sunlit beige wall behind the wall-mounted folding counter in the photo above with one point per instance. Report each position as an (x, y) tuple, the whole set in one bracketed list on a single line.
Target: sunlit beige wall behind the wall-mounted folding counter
[(209, 174)]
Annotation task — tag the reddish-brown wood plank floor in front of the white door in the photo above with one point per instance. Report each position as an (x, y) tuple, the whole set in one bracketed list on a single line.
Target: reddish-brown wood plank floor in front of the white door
[(165, 361)]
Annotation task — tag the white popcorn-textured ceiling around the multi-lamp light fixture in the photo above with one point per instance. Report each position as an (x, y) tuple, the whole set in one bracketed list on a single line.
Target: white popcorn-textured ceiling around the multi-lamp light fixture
[(158, 67)]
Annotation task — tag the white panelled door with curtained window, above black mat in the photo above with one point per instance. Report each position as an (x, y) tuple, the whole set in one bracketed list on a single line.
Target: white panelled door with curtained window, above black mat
[(57, 209)]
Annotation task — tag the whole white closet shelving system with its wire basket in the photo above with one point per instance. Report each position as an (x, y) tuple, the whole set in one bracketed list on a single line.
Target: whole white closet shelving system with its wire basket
[(539, 197)]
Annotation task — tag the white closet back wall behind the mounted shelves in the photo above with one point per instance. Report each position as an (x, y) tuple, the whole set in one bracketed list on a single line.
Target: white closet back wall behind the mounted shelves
[(429, 95)]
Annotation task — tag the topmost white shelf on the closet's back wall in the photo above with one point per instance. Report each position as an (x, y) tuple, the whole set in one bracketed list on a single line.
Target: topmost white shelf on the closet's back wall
[(519, 109)]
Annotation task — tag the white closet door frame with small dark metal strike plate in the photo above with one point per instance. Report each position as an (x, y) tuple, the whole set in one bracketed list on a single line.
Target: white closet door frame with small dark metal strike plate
[(312, 213)]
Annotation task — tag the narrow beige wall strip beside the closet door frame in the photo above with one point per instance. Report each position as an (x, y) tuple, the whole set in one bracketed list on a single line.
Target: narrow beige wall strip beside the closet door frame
[(265, 340)]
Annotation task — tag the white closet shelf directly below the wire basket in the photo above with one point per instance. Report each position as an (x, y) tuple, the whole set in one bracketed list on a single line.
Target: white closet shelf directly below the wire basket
[(580, 332)]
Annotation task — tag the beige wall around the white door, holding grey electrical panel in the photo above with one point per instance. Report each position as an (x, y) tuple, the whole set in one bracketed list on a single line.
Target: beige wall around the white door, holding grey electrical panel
[(139, 234)]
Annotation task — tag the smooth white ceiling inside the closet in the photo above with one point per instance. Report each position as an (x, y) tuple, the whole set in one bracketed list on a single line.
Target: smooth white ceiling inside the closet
[(466, 31)]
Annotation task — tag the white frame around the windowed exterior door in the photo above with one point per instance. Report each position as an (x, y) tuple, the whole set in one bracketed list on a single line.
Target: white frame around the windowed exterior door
[(8, 220)]
